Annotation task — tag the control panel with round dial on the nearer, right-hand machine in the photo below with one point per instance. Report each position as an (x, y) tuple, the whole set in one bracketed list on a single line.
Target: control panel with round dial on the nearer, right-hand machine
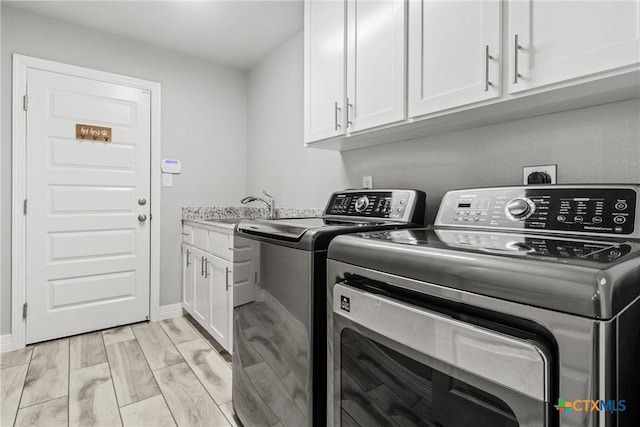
[(597, 210)]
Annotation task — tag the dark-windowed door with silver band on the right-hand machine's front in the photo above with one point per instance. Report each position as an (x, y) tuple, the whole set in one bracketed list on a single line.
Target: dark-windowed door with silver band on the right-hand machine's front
[(400, 364)]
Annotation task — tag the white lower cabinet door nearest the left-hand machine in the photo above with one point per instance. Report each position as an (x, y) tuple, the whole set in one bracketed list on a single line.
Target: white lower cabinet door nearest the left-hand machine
[(220, 287)]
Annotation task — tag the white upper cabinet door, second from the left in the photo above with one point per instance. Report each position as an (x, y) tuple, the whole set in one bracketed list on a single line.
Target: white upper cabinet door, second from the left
[(376, 34)]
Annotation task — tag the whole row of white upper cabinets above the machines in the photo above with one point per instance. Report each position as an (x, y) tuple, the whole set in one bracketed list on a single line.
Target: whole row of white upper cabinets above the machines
[(376, 72)]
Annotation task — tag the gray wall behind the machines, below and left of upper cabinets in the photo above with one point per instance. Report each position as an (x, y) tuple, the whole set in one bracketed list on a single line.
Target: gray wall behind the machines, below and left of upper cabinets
[(596, 144)]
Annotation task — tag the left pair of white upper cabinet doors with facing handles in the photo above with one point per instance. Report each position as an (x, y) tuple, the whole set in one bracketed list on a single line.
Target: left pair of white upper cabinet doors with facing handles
[(354, 66)]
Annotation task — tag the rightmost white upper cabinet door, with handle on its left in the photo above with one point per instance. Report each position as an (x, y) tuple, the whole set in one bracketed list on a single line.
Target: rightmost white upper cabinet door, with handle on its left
[(562, 40)]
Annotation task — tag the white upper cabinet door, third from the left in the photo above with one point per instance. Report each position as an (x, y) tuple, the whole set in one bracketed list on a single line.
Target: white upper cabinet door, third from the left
[(454, 54)]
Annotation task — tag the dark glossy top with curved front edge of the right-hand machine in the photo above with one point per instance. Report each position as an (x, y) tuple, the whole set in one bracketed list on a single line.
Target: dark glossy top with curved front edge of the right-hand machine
[(592, 278)]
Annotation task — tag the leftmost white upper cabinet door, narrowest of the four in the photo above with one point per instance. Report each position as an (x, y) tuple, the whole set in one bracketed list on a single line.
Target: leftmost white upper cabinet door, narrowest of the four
[(324, 63)]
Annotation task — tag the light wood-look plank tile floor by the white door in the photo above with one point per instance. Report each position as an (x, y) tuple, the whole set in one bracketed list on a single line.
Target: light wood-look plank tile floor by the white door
[(147, 374)]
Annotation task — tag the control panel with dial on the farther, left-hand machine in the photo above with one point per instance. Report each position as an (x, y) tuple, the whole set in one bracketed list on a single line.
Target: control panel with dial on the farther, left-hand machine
[(388, 204)]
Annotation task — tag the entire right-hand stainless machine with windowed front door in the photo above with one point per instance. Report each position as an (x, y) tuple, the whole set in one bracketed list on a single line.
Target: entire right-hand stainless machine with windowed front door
[(520, 308)]
